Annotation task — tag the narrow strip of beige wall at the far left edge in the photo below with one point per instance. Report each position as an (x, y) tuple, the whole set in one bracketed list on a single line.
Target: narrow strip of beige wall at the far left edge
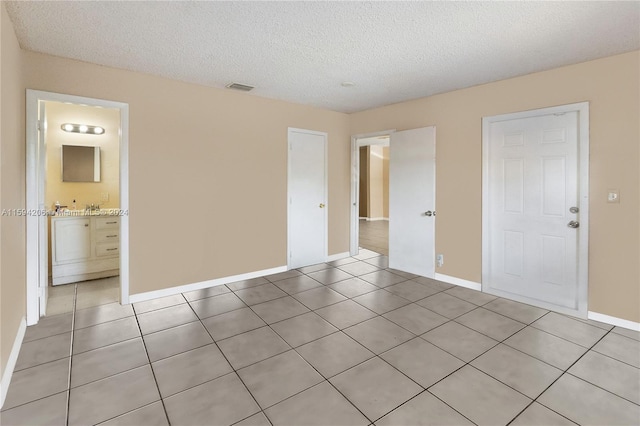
[(12, 189)]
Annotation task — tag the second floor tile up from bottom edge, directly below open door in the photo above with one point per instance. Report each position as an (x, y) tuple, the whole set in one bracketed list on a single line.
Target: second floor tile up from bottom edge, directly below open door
[(421, 361)]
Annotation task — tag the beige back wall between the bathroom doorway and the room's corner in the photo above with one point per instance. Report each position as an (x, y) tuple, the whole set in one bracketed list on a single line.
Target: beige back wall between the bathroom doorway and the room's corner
[(207, 171)]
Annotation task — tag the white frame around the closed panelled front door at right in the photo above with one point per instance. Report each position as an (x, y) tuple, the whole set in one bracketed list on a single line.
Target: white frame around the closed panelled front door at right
[(582, 109)]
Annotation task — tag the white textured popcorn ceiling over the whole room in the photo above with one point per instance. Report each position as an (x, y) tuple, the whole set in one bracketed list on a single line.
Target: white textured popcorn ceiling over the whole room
[(302, 51)]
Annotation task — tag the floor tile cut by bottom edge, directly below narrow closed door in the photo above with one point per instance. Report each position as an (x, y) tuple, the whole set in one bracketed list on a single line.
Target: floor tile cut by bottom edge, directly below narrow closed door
[(320, 405)]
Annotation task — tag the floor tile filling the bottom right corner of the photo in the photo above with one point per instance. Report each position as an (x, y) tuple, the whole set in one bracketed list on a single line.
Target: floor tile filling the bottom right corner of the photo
[(585, 403)]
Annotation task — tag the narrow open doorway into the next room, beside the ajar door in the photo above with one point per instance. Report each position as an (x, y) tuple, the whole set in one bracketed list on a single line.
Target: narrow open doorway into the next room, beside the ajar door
[(370, 213)]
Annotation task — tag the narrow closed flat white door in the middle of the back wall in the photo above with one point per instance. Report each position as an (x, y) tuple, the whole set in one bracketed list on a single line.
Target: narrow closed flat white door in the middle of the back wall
[(307, 198)]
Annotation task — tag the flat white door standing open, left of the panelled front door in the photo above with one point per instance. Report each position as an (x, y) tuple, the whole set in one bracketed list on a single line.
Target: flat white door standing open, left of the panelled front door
[(412, 201)]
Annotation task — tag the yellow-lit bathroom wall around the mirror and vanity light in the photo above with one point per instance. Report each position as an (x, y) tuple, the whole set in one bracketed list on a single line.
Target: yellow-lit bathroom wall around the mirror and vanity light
[(84, 193)]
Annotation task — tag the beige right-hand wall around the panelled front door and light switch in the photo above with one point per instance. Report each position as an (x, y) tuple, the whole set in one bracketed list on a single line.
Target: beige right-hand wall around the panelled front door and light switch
[(612, 86)]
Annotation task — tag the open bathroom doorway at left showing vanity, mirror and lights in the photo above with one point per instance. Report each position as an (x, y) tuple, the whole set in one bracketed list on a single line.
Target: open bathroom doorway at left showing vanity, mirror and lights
[(77, 181)]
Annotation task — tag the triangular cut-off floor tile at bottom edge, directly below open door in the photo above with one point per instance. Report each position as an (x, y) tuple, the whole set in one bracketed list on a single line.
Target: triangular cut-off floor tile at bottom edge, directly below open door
[(424, 410)]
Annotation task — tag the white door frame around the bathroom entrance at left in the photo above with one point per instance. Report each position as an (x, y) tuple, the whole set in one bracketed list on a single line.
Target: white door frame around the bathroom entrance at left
[(35, 195)]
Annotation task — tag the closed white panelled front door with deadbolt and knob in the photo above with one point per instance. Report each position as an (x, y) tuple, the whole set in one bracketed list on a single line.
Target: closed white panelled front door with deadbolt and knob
[(531, 223)]
